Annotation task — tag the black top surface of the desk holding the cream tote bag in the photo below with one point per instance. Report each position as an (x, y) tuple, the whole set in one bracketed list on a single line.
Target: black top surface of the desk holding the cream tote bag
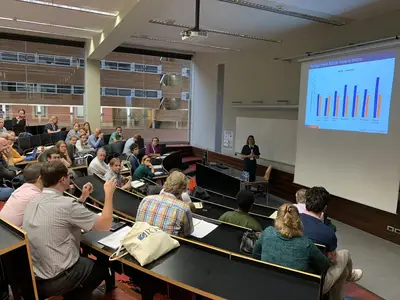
[(213, 272)]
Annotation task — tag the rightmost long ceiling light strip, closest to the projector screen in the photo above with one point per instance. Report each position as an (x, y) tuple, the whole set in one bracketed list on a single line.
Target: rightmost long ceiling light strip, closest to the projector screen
[(281, 10)]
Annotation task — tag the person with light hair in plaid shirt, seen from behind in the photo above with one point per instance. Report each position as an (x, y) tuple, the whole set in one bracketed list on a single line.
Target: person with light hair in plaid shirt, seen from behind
[(167, 210)]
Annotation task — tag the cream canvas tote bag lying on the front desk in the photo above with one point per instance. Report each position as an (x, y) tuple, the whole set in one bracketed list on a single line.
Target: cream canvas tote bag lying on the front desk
[(145, 243)]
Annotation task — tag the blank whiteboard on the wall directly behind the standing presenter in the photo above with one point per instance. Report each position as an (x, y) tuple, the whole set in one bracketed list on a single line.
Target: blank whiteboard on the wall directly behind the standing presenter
[(276, 138)]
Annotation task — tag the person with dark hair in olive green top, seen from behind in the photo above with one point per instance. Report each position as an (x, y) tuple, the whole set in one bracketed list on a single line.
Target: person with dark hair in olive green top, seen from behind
[(241, 217)]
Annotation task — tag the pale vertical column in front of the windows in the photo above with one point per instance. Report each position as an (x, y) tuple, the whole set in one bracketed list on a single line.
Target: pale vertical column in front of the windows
[(92, 97)]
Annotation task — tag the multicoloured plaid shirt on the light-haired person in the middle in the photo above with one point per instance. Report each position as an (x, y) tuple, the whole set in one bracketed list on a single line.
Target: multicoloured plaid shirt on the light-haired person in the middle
[(166, 212)]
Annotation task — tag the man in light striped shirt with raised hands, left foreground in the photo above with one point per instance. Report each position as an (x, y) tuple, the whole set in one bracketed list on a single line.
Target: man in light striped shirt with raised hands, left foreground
[(53, 223)]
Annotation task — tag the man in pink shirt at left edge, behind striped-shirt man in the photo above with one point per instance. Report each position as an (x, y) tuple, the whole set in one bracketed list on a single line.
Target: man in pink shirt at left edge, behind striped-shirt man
[(14, 209)]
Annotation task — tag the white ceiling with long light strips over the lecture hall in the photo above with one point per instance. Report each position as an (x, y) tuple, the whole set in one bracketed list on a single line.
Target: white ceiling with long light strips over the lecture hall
[(214, 14)]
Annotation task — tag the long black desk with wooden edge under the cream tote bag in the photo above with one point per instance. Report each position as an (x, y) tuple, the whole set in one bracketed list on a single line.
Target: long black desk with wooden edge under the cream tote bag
[(197, 271)]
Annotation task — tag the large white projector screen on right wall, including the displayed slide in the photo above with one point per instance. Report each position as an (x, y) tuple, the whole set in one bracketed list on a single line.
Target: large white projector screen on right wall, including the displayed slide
[(349, 127)]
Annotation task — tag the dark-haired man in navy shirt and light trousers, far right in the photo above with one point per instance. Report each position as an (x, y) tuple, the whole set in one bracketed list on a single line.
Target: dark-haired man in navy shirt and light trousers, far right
[(342, 271)]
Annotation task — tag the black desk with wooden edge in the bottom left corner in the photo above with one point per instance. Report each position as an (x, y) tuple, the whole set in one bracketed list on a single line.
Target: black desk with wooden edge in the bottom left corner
[(16, 261)]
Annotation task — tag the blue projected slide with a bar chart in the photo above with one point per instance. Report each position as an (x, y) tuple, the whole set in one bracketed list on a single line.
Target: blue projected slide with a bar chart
[(351, 94)]
